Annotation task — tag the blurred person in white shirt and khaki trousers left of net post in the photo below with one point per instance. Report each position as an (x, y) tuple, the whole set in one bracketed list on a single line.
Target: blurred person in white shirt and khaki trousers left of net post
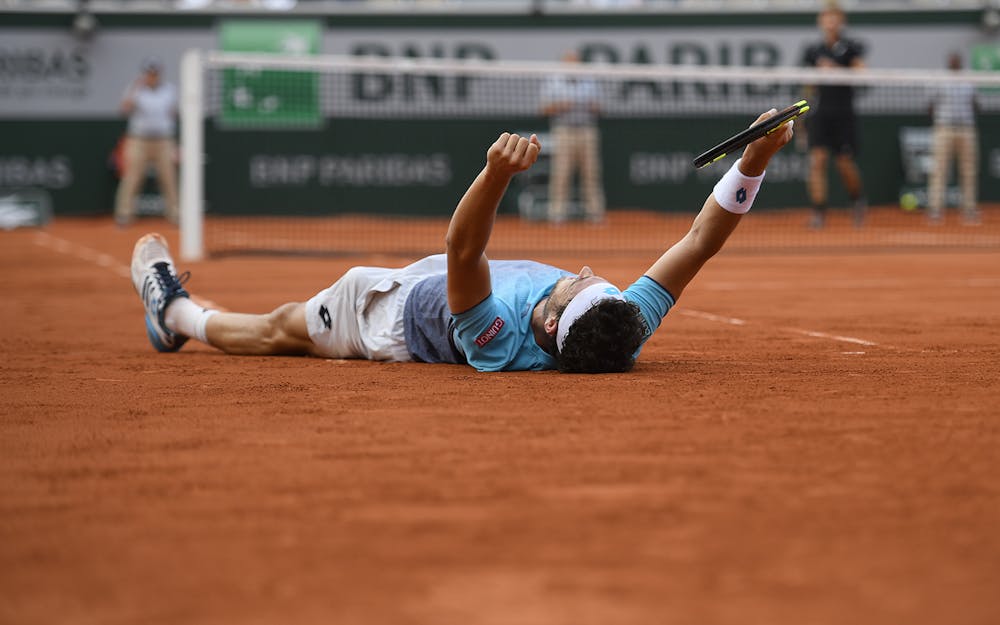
[(151, 106)]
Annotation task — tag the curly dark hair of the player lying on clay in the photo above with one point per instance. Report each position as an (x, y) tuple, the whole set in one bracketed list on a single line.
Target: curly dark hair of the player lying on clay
[(603, 339)]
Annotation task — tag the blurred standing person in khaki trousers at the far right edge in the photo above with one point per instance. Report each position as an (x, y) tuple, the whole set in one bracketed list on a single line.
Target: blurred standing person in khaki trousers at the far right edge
[(953, 107)]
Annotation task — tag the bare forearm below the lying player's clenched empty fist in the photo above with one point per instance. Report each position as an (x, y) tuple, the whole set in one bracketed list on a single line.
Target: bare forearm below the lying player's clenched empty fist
[(472, 223)]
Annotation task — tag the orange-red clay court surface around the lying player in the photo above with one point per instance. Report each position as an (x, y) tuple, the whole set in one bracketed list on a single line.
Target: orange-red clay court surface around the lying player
[(811, 438)]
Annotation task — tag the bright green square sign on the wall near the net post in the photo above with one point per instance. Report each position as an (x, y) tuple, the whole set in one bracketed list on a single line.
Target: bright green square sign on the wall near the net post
[(268, 99)]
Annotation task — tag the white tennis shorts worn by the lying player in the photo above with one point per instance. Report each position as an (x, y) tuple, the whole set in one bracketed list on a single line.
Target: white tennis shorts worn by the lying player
[(361, 314)]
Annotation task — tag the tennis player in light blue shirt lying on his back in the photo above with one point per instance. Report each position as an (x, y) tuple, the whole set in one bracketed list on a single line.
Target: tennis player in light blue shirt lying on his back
[(460, 307)]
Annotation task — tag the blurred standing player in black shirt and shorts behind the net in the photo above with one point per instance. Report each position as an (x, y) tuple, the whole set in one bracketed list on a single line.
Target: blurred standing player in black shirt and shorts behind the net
[(832, 127)]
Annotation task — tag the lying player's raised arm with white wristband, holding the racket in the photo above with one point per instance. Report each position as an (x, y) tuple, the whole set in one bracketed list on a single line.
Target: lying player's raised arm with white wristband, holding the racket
[(722, 211)]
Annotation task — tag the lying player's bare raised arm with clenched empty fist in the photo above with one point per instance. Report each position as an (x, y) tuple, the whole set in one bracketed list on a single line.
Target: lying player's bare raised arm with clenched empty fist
[(472, 222)]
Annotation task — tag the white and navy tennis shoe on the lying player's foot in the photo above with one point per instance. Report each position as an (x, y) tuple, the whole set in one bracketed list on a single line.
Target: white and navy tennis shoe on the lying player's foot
[(157, 284)]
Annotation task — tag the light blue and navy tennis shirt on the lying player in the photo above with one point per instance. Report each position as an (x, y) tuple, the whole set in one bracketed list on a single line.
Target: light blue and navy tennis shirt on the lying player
[(495, 334)]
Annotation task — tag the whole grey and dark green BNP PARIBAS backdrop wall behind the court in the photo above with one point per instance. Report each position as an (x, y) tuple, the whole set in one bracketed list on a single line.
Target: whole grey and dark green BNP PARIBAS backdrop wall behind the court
[(60, 117)]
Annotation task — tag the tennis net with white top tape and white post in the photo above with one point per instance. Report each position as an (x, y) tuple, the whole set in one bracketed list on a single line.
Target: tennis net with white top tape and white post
[(352, 155)]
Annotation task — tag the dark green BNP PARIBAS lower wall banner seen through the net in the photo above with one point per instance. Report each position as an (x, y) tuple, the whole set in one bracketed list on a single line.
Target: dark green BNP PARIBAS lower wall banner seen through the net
[(360, 166)]
